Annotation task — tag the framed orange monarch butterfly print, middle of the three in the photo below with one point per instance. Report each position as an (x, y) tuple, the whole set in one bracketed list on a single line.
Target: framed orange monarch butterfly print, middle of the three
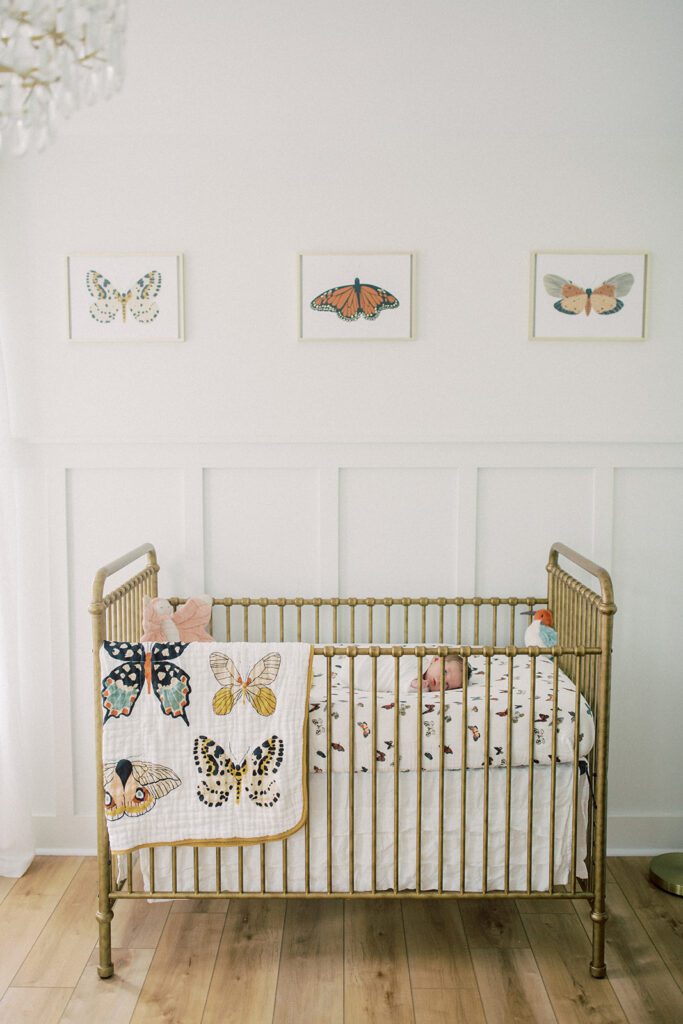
[(357, 296)]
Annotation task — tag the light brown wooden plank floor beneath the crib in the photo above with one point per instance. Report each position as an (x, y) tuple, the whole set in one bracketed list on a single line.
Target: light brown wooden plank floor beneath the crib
[(270, 962)]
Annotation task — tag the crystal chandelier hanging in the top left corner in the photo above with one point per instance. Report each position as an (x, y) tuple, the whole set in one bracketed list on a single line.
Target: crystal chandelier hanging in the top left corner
[(55, 56)]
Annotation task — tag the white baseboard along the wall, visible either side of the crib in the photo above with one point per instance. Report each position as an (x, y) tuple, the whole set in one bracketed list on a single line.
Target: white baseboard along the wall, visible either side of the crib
[(628, 836)]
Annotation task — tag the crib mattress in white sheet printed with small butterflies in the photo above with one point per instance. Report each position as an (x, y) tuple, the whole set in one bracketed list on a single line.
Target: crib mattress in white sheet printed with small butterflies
[(509, 718)]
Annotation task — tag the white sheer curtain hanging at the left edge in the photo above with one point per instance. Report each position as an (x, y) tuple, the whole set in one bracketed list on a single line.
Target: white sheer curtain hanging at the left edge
[(17, 845)]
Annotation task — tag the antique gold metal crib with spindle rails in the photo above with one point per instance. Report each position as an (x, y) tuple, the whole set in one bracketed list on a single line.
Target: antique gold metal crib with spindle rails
[(395, 628)]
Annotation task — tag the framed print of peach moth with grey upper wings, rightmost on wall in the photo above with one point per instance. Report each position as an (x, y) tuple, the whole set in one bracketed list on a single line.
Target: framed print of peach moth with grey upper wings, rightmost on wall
[(591, 296)]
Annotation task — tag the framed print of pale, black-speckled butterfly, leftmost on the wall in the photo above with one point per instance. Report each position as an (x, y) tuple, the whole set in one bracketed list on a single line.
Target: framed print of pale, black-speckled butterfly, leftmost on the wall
[(125, 297)]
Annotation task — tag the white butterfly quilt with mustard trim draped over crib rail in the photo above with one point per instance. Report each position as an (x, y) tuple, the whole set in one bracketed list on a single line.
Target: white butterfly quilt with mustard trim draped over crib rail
[(204, 743)]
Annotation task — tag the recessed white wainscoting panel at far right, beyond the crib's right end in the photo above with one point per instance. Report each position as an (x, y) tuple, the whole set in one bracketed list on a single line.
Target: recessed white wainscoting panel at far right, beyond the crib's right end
[(649, 669)]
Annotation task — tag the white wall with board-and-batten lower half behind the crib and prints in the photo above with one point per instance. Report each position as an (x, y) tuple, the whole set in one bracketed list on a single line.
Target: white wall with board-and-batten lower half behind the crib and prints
[(471, 134)]
